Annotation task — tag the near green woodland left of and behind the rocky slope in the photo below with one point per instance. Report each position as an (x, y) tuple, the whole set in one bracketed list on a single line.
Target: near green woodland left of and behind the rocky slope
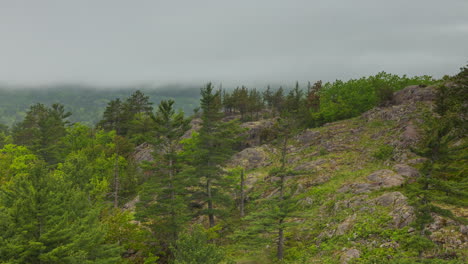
[(71, 193)]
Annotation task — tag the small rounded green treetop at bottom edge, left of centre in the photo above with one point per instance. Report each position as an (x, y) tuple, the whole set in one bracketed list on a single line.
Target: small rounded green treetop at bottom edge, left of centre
[(194, 247)]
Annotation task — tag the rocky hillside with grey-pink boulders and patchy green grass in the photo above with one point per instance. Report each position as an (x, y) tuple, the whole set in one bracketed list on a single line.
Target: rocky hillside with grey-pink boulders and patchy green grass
[(350, 181)]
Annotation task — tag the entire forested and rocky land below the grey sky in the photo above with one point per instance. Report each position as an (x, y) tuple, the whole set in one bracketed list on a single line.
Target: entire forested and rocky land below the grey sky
[(369, 170)]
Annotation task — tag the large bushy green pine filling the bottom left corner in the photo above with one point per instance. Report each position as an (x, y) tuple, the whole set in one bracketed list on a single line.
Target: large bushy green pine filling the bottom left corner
[(46, 220)]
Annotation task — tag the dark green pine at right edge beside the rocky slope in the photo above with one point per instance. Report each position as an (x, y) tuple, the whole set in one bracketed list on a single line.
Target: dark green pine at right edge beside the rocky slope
[(442, 174)]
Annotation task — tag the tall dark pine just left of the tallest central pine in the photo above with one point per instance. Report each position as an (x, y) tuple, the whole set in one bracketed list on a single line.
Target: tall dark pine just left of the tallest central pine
[(163, 200)]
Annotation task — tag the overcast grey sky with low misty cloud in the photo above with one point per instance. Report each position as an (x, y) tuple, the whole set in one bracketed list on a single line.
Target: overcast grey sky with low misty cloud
[(122, 42)]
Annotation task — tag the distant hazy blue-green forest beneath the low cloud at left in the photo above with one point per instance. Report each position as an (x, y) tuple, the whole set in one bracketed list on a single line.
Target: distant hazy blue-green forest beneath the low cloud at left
[(85, 102)]
